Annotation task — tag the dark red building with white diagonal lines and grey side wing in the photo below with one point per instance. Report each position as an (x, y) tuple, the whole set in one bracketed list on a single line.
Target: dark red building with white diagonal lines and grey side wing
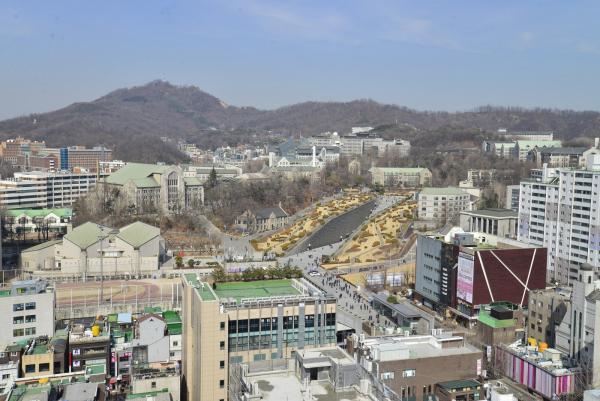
[(461, 271)]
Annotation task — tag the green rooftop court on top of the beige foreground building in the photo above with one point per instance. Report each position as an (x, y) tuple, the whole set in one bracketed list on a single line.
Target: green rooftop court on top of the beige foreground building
[(255, 289)]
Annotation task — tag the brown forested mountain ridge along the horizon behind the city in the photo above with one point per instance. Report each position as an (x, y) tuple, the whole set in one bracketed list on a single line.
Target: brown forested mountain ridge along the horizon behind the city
[(131, 120)]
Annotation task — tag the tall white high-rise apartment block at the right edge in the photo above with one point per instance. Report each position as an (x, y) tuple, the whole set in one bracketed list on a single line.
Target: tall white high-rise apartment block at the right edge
[(562, 212)]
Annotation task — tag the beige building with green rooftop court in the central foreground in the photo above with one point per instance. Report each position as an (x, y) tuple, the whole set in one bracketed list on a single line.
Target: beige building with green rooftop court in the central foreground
[(244, 322)]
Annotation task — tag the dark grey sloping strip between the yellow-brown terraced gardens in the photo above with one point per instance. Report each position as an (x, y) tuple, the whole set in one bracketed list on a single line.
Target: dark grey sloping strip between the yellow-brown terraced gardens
[(342, 225)]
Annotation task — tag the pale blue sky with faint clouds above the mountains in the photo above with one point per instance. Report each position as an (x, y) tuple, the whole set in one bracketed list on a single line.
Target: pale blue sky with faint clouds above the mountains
[(428, 55)]
